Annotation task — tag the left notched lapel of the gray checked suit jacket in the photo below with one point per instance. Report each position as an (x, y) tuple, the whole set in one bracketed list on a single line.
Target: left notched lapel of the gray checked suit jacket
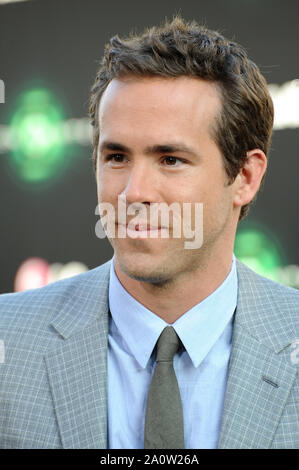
[(77, 368)]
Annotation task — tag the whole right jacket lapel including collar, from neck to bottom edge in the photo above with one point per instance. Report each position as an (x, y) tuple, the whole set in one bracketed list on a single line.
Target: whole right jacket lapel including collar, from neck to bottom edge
[(260, 371)]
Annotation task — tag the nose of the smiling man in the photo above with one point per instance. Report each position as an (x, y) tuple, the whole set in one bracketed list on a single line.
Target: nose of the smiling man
[(141, 185)]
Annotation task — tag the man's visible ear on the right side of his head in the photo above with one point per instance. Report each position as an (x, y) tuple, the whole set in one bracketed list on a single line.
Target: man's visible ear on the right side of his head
[(249, 179)]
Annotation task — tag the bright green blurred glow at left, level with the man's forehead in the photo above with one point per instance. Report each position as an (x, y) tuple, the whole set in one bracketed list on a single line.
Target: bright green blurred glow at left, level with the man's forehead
[(37, 135)]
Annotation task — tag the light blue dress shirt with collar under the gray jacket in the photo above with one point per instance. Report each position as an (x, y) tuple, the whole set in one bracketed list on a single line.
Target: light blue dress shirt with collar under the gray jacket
[(201, 369)]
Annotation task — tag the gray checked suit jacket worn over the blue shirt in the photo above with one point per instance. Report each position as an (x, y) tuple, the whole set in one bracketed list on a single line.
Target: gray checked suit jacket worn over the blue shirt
[(53, 373)]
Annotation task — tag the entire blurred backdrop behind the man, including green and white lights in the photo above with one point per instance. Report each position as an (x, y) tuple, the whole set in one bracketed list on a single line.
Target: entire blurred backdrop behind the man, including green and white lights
[(49, 54)]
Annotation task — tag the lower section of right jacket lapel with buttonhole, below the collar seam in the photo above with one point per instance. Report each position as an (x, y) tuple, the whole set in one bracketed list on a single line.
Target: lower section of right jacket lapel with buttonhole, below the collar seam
[(259, 383)]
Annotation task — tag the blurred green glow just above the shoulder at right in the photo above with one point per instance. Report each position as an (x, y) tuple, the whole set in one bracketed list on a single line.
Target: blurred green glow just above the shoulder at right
[(259, 252)]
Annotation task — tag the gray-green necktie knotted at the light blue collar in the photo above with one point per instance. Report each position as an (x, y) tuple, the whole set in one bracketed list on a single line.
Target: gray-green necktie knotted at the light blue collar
[(164, 427)]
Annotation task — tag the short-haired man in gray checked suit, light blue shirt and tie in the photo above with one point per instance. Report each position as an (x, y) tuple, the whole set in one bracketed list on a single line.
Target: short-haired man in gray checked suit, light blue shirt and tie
[(180, 115)]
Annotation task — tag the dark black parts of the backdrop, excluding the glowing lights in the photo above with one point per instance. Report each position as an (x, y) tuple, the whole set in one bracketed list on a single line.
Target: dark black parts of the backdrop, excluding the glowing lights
[(58, 44)]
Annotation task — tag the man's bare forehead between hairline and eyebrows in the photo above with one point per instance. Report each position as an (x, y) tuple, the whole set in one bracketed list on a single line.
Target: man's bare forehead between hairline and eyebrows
[(155, 102)]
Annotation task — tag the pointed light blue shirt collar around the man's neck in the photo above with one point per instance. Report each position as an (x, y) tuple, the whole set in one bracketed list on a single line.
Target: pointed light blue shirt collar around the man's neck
[(199, 328)]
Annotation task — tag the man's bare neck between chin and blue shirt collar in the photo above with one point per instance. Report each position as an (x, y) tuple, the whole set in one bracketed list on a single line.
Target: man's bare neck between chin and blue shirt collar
[(171, 300)]
